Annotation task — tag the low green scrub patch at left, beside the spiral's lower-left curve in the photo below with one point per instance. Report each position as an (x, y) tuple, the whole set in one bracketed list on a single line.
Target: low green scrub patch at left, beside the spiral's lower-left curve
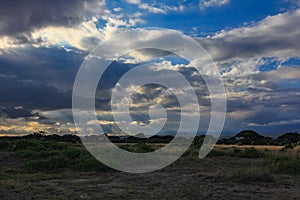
[(49, 156)]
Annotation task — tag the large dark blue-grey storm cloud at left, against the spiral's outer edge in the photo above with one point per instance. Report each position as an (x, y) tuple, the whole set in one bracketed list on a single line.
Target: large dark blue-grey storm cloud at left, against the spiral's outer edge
[(38, 78)]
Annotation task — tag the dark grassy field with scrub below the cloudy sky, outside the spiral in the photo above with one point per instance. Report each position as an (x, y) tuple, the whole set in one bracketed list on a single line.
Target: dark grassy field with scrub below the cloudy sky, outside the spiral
[(35, 169)]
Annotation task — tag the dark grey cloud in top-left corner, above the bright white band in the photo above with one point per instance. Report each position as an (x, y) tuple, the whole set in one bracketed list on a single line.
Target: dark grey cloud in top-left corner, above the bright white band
[(19, 16)]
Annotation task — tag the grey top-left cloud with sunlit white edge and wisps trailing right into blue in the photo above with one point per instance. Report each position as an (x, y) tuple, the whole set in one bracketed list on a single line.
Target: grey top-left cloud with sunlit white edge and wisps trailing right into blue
[(73, 25)]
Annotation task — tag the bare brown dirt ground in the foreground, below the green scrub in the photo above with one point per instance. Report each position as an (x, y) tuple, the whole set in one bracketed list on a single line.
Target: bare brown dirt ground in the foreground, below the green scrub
[(209, 178)]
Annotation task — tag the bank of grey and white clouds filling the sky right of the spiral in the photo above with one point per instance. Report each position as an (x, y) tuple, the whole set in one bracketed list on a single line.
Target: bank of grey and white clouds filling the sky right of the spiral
[(256, 98)]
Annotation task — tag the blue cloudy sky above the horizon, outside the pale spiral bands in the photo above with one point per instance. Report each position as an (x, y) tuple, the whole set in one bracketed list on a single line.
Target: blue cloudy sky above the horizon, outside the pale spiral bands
[(255, 45)]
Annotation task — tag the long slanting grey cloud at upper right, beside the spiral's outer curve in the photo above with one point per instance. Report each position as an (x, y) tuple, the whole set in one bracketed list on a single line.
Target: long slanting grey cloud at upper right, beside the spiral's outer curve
[(275, 36)]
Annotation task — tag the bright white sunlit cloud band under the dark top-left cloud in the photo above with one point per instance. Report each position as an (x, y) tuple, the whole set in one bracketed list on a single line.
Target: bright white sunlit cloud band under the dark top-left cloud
[(84, 37)]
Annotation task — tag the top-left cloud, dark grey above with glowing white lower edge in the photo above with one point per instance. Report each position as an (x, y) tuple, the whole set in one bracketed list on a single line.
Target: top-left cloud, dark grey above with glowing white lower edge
[(50, 23)]
